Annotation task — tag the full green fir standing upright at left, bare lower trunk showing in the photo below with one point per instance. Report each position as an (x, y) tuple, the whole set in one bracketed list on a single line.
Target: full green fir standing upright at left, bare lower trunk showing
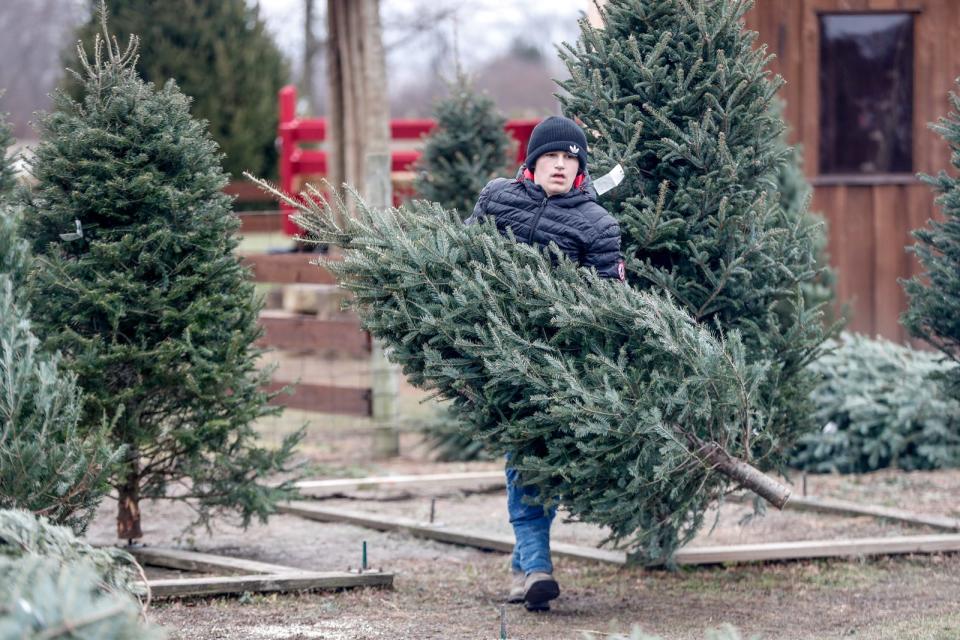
[(137, 285)]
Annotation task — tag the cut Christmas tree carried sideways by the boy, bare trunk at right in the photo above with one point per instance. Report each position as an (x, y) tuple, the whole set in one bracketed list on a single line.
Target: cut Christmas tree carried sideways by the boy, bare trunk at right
[(612, 400)]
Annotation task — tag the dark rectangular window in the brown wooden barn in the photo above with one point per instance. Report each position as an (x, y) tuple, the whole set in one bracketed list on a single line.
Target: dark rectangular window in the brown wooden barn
[(866, 93)]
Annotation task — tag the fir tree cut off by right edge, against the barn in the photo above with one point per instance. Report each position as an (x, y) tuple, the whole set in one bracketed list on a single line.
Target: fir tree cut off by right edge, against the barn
[(934, 311)]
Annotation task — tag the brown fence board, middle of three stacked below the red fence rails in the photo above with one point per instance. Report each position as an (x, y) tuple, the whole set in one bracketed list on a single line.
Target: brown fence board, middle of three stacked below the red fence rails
[(285, 330)]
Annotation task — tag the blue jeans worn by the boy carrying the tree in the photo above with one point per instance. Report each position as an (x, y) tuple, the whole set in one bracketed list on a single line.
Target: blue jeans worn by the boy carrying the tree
[(531, 528)]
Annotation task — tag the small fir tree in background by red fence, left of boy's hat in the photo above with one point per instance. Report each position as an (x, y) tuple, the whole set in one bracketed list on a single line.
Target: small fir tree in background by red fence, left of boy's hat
[(468, 148)]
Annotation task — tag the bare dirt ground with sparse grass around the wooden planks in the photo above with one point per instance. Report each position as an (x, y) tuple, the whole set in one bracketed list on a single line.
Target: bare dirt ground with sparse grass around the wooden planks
[(443, 591)]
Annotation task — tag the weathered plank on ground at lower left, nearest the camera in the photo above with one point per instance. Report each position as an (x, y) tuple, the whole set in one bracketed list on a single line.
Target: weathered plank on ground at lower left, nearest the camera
[(296, 581)]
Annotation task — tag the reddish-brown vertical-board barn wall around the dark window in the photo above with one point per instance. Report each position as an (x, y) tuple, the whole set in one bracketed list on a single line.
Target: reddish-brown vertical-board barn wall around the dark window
[(869, 221)]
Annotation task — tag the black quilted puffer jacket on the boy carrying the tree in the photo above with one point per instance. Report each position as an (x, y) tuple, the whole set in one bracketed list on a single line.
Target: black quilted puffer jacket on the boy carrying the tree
[(580, 227)]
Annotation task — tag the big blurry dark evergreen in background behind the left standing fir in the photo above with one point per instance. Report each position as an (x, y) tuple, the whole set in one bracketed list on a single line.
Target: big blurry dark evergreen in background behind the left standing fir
[(221, 55)]
